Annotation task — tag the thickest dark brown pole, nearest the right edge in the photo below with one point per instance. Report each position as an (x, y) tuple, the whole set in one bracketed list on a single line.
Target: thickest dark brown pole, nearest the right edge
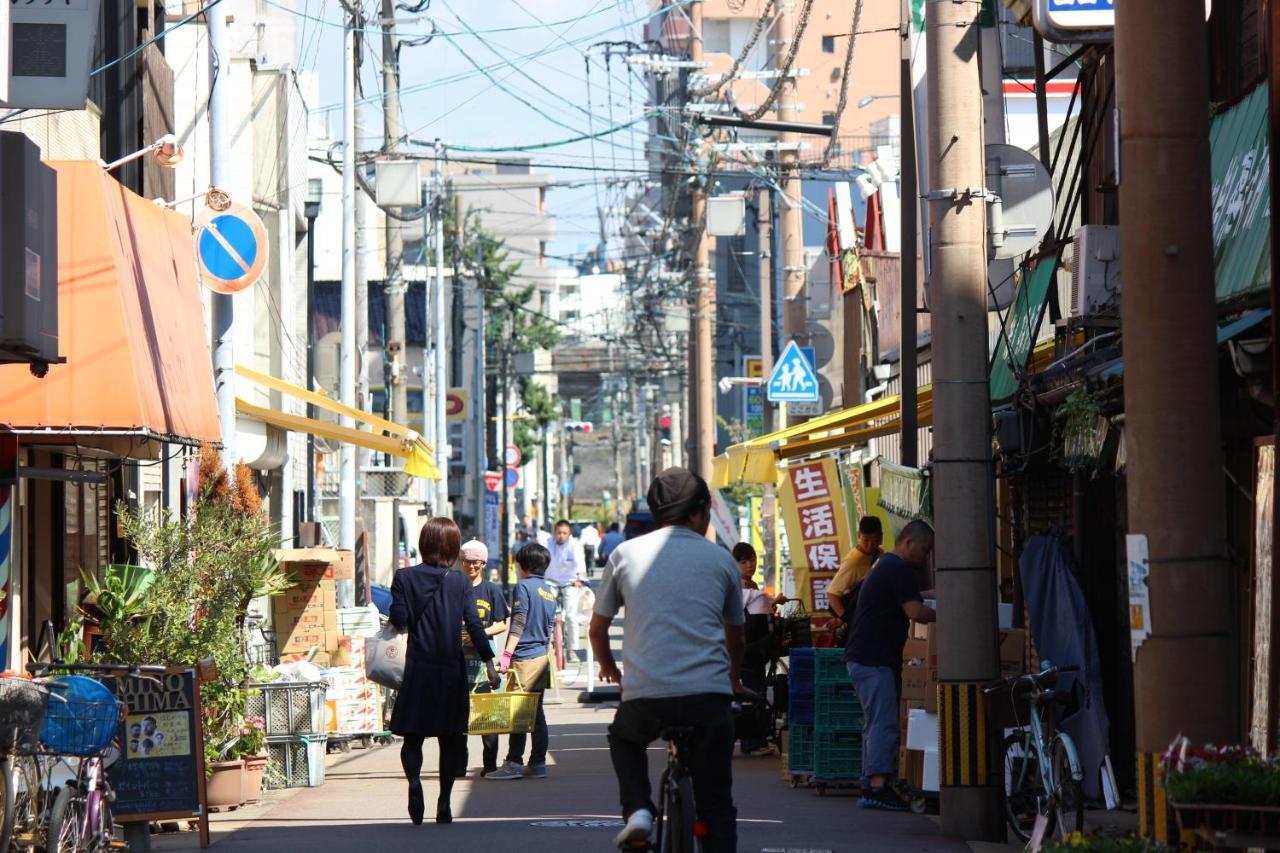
[(1186, 670)]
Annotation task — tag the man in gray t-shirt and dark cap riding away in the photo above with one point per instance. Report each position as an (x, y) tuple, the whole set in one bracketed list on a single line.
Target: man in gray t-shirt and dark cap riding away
[(679, 591)]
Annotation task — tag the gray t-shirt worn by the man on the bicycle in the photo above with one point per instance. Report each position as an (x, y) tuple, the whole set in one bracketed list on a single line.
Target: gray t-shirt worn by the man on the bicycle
[(679, 591)]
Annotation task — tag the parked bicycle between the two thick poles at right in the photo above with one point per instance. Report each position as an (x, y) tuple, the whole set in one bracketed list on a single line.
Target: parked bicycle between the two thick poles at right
[(1041, 767)]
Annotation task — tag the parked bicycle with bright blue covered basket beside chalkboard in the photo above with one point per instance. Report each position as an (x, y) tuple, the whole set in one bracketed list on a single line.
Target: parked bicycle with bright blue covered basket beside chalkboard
[(83, 726)]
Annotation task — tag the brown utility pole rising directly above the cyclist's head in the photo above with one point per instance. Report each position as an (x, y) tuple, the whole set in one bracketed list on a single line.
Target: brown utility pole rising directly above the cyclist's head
[(702, 377)]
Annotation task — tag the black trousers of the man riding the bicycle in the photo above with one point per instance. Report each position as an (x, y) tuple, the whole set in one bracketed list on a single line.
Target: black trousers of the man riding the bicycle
[(641, 722)]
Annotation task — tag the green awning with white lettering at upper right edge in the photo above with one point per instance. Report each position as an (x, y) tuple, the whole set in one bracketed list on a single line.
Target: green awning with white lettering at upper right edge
[(1242, 198)]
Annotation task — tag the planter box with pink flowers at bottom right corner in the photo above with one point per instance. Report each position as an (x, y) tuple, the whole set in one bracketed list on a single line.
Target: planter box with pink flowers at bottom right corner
[(1224, 790)]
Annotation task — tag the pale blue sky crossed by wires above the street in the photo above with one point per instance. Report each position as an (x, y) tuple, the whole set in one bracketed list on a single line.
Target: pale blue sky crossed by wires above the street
[(504, 74)]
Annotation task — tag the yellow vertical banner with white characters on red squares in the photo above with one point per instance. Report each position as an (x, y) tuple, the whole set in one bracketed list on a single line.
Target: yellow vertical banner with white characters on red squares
[(813, 509)]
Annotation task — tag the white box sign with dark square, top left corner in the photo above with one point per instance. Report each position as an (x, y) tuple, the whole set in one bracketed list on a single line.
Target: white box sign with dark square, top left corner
[(49, 54)]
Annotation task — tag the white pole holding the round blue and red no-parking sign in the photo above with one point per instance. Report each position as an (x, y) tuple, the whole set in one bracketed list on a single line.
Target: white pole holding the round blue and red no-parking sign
[(223, 304)]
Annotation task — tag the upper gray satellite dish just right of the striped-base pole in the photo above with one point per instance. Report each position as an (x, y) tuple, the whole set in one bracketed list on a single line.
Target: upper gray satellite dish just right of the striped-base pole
[(1023, 209)]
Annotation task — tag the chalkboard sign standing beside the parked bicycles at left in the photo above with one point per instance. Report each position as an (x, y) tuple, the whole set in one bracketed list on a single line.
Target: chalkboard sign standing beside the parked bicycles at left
[(161, 773)]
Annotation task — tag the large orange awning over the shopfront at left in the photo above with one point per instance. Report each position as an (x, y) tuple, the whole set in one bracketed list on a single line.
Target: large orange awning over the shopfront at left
[(130, 321)]
